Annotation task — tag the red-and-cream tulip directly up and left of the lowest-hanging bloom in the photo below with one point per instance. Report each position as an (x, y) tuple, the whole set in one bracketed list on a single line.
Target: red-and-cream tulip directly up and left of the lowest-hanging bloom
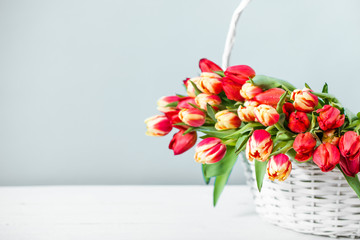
[(259, 146)]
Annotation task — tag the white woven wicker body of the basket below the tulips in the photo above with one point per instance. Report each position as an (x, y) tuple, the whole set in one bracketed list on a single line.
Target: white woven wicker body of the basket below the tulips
[(309, 201)]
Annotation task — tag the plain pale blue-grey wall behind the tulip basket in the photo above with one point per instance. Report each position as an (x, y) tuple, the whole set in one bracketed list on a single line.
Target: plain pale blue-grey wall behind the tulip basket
[(77, 78)]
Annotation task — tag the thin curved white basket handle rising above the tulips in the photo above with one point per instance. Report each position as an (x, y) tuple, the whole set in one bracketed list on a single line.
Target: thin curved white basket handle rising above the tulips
[(230, 39)]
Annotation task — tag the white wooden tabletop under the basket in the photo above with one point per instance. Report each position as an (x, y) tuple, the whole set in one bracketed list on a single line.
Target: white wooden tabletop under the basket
[(132, 212)]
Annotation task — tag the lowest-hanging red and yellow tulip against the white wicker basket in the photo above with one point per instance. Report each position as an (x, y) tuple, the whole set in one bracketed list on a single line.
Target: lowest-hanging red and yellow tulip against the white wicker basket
[(279, 167)]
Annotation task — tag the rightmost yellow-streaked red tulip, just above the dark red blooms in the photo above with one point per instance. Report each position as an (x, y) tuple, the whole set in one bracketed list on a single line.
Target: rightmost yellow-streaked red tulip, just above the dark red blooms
[(304, 100)]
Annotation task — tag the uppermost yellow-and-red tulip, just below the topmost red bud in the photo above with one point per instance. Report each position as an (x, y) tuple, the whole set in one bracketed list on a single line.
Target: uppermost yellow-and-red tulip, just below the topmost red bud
[(209, 83)]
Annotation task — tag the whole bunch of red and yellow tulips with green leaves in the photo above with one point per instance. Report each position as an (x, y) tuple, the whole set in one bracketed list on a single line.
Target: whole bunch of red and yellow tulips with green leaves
[(272, 121)]
